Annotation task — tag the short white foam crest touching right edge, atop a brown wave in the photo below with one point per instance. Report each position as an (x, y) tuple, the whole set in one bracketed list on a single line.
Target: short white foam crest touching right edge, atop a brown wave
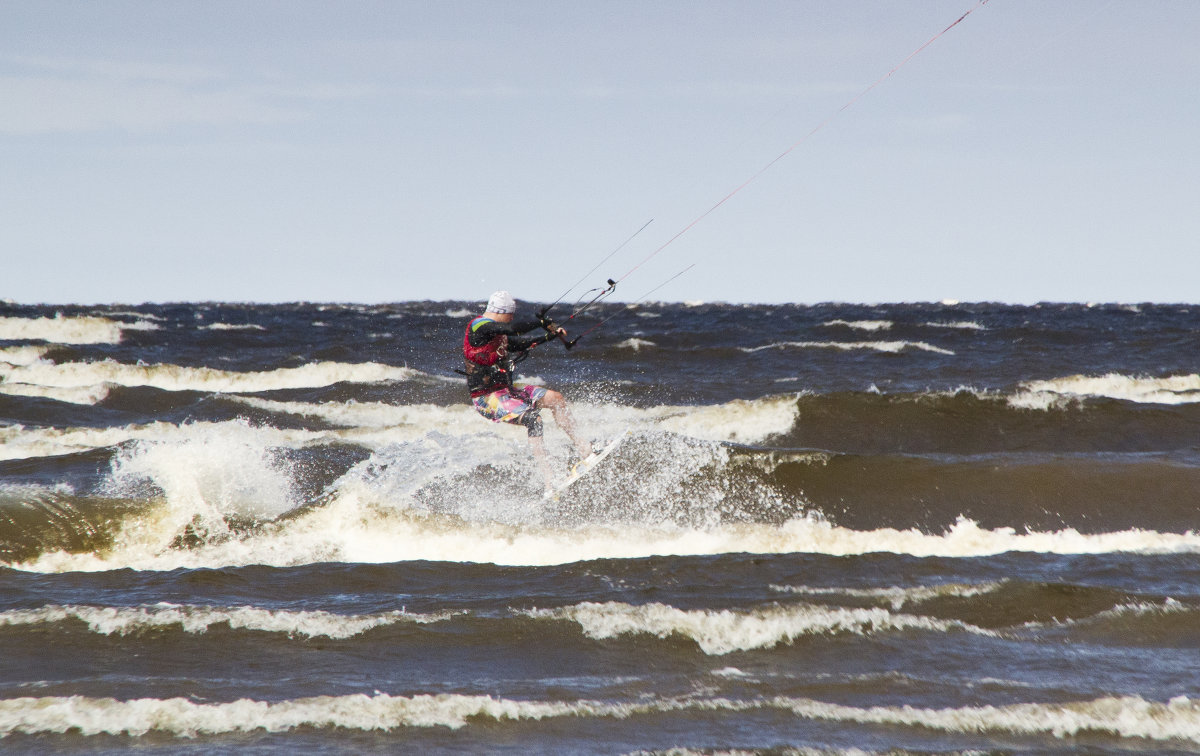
[(1171, 391)]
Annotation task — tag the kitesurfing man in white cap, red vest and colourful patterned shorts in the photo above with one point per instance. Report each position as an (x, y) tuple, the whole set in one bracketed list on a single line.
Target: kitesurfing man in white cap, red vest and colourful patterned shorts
[(491, 347)]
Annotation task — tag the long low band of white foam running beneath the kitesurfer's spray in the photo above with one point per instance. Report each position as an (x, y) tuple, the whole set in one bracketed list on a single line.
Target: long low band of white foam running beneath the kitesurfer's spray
[(361, 525)]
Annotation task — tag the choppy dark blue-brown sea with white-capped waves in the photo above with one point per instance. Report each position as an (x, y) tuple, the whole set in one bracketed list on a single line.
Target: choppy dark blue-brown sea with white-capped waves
[(909, 529)]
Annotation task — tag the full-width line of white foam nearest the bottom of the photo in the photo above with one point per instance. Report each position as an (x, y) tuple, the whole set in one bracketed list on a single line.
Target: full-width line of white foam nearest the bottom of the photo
[(1126, 717)]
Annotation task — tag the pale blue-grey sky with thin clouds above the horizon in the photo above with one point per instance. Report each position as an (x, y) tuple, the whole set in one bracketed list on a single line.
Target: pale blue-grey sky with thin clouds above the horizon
[(359, 152)]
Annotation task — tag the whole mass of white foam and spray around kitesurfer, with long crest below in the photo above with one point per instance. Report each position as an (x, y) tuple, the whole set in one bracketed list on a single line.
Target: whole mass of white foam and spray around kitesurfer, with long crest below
[(205, 475)]
